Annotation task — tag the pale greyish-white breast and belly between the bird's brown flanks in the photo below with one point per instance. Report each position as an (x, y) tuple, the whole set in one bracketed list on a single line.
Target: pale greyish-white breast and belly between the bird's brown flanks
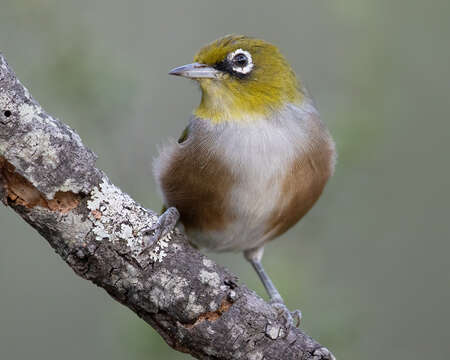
[(259, 154)]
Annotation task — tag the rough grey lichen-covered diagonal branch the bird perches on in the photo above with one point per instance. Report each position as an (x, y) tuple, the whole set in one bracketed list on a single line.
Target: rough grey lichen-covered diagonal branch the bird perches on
[(49, 178)]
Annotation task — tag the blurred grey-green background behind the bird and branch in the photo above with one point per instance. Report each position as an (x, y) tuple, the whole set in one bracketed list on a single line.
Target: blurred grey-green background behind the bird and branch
[(368, 266)]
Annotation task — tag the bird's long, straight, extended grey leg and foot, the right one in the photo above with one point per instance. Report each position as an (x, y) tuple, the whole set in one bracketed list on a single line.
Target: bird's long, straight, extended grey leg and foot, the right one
[(254, 256)]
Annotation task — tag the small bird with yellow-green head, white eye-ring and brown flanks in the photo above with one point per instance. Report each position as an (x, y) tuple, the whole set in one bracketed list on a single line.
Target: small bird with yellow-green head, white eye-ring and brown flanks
[(253, 159)]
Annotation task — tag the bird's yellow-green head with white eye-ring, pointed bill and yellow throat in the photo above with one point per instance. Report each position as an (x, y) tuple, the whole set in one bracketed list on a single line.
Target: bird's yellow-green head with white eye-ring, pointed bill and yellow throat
[(242, 79)]
